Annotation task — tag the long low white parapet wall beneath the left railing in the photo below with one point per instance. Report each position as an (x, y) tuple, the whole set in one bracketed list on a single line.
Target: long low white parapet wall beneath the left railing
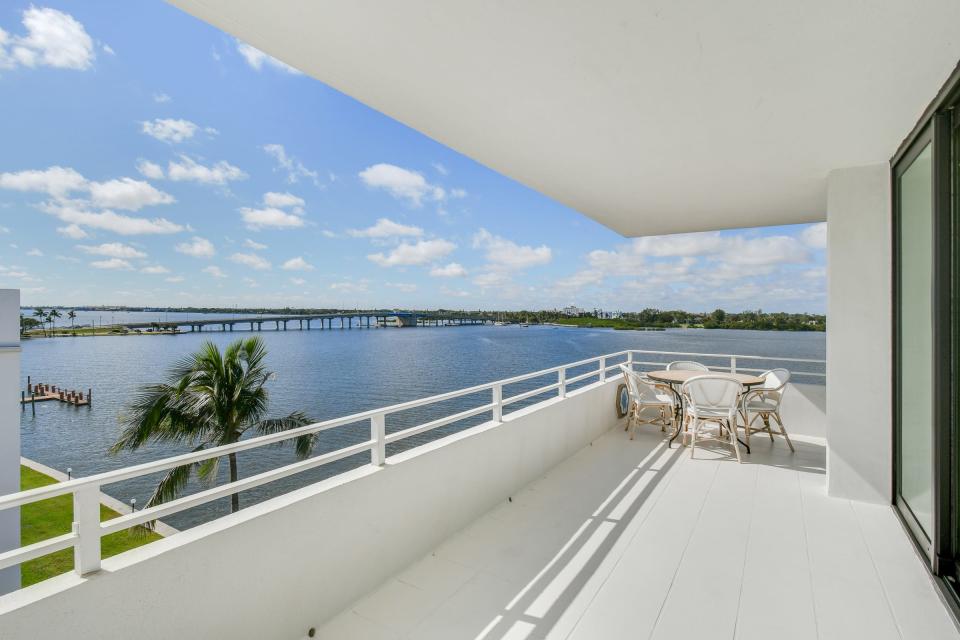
[(277, 568)]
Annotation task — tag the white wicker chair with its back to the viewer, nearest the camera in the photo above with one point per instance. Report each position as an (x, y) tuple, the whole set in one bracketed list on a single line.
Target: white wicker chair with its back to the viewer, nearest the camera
[(712, 398)]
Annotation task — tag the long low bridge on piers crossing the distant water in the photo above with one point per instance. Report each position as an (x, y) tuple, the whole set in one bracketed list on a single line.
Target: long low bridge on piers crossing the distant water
[(327, 321)]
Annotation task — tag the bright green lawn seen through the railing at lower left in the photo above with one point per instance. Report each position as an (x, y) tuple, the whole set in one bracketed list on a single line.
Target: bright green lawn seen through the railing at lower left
[(54, 517)]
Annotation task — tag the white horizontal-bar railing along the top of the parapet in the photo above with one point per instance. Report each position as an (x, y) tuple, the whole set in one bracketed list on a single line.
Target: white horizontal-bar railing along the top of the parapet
[(88, 530)]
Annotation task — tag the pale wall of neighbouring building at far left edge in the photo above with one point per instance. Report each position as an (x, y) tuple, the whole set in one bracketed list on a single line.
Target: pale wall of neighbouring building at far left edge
[(9, 428)]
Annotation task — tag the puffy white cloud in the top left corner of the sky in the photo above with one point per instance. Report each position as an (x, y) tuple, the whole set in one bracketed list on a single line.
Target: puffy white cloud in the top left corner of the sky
[(53, 39)]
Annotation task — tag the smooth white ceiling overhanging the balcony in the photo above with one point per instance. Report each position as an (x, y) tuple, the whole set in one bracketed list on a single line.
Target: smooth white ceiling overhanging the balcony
[(649, 117)]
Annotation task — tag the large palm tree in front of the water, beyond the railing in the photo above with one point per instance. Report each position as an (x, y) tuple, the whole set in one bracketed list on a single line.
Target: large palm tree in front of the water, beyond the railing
[(209, 399)]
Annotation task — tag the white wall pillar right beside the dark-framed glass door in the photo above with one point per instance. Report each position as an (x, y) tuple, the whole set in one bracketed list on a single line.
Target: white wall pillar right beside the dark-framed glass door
[(859, 352)]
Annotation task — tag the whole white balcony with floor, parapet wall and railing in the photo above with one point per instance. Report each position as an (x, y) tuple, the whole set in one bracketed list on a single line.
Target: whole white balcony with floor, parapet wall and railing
[(541, 521)]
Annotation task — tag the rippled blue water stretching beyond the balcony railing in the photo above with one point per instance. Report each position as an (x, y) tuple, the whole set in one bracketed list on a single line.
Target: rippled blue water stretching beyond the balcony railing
[(329, 374)]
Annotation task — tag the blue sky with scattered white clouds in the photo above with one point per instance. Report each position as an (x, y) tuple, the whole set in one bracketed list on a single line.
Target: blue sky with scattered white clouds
[(150, 159)]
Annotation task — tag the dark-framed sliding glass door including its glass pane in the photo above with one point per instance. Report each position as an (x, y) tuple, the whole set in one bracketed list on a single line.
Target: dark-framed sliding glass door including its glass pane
[(926, 336)]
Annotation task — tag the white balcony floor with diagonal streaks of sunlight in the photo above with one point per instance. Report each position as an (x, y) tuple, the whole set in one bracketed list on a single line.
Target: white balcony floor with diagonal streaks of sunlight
[(627, 539)]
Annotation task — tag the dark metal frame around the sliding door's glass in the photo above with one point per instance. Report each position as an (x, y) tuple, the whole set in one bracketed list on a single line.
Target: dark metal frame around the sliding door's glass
[(939, 126)]
